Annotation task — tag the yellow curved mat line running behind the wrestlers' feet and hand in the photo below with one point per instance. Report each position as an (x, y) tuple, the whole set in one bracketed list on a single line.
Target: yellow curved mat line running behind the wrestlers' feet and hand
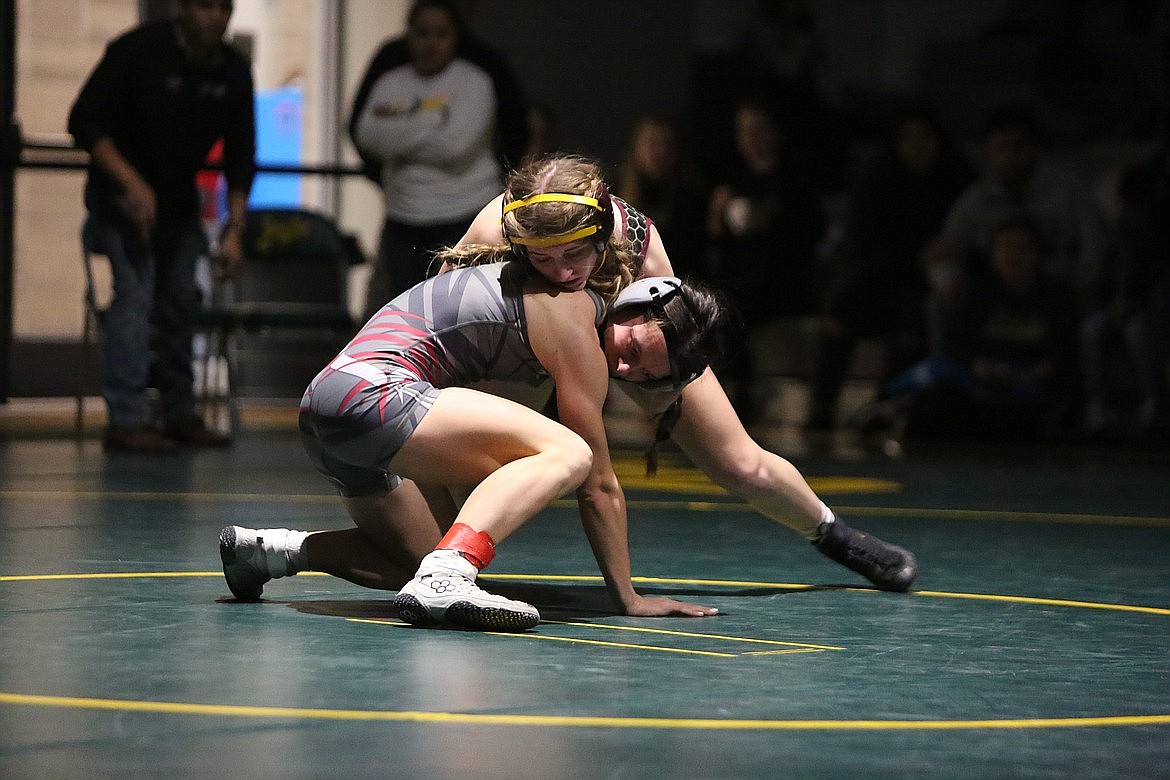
[(648, 581)]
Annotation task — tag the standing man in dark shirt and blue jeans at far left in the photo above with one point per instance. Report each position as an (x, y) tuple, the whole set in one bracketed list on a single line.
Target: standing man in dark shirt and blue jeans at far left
[(149, 114)]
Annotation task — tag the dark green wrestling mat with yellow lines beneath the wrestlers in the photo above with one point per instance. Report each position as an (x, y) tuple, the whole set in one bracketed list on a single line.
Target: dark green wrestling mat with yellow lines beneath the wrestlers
[(1037, 643)]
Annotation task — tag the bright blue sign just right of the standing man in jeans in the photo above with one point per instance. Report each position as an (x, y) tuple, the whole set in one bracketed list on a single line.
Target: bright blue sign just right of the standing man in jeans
[(279, 130)]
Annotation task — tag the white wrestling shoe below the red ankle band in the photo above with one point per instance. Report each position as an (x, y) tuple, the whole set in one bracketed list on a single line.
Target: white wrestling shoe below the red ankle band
[(444, 593)]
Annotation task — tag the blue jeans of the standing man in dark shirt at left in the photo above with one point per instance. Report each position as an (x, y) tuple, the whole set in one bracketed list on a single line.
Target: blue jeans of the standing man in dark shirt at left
[(148, 328)]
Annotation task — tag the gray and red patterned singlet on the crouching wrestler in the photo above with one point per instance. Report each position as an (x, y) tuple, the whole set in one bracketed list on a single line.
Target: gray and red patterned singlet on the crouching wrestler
[(453, 330)]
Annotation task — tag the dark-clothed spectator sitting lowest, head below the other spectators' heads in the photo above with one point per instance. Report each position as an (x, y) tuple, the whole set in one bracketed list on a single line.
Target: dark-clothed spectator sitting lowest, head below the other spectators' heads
[(1007, 367)]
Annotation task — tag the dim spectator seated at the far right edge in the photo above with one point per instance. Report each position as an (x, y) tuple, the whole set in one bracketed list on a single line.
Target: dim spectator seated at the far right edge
[(1135, 303)]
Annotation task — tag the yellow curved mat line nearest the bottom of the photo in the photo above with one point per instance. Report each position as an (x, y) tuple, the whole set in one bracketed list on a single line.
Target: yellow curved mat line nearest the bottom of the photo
[(589, 722)]
